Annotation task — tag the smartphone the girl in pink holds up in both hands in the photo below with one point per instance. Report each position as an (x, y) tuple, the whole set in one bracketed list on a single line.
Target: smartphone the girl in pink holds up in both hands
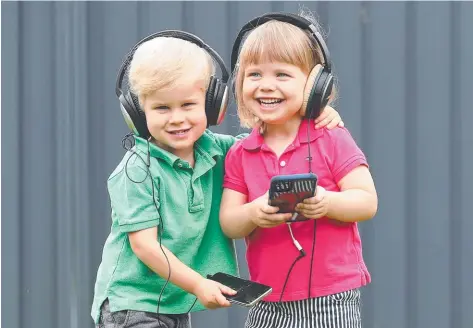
[(286, 191)]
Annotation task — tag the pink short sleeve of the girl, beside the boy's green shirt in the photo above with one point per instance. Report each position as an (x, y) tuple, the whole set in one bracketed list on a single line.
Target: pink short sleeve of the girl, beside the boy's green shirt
[(234, 178)]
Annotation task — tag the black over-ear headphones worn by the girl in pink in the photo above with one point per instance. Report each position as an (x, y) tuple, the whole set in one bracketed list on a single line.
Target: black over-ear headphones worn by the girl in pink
[(320, 81)]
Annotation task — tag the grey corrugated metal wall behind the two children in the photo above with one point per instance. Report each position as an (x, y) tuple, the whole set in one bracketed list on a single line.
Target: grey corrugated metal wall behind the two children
[(406, 82)]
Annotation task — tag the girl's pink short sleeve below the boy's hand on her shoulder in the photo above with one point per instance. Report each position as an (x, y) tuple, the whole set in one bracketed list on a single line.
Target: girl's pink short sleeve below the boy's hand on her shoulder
[(345, 153)]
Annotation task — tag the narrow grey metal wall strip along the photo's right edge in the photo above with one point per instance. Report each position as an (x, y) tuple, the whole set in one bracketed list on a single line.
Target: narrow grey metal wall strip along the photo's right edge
[(461, 251)]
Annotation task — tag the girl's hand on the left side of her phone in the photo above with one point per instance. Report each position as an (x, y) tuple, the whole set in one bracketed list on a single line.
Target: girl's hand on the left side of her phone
[(265, 215)]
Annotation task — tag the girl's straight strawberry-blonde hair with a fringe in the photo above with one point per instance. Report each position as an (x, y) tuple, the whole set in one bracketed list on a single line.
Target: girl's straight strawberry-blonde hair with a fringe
[(275, 41)]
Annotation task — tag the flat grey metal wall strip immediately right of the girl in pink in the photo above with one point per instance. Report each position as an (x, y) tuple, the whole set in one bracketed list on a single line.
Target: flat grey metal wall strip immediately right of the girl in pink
[(383, 116)]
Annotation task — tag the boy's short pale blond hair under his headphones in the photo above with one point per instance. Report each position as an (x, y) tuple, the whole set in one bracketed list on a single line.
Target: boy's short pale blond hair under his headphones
[(164, 62)]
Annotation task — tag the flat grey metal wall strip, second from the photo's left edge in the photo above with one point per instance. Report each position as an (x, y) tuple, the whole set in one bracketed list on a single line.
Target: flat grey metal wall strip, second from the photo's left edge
[(37, 144)]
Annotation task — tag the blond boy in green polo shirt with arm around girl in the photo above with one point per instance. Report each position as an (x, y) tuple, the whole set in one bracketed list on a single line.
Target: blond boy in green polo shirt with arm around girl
[(165, 197)]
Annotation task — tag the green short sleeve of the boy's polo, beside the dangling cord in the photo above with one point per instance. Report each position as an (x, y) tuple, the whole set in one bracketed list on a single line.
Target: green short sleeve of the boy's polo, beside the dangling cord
[(132, 201)]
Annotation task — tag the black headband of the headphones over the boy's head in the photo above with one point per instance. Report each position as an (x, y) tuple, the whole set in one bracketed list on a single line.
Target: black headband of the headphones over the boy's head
[(172, 34)]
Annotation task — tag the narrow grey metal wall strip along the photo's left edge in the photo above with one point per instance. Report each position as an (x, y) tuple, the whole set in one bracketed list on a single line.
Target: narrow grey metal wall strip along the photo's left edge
[(11, 177)]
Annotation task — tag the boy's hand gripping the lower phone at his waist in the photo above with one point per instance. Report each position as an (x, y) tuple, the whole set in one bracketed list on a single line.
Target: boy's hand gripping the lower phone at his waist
[(211, 294)]
